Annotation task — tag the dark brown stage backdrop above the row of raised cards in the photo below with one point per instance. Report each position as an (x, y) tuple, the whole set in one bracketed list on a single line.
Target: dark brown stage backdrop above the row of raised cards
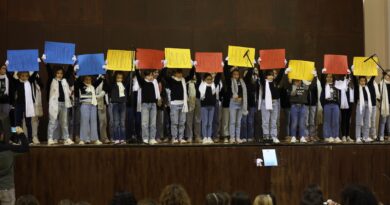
[(307, 29)]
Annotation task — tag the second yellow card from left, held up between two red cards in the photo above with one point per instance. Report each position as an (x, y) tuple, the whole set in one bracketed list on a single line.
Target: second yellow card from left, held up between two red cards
[(178, 58)]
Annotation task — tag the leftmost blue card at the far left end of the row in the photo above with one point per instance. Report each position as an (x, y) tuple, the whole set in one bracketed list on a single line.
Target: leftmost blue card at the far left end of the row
[(23, 60)]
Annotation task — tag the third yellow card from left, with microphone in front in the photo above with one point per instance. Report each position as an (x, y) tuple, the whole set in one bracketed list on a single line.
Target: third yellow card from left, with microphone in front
[(237, 56)]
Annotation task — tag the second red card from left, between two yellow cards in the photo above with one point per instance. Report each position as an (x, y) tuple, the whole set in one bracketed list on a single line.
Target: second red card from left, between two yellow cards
[(208, 62)]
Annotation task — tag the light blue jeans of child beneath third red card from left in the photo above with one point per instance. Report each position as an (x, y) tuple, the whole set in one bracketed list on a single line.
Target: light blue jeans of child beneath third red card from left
[(270, 118)]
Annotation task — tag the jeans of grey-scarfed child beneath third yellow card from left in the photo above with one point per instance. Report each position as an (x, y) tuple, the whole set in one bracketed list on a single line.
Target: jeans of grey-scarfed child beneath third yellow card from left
[(235, 109)]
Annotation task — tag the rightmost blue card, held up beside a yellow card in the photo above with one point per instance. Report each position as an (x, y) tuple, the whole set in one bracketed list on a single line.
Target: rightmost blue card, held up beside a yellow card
[(91, 64)]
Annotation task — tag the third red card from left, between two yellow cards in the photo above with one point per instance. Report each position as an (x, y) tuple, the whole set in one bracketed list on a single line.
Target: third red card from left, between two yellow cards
[(272, 59)]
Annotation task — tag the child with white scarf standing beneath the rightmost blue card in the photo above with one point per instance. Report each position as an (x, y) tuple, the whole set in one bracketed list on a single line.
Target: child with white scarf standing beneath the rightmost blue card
[(88, 118)]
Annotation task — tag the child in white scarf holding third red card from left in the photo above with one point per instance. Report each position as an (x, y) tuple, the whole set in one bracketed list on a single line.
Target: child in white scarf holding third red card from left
[(270, 103)]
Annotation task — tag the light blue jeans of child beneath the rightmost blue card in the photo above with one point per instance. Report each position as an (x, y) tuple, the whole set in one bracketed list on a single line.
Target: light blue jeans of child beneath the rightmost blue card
[(88, 123)]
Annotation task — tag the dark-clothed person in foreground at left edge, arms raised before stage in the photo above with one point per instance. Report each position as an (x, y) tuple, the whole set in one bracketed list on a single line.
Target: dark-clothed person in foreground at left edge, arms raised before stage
[(7, 157)]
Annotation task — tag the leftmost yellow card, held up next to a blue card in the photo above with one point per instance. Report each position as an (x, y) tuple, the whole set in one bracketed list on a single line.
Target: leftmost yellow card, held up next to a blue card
[(120, 60)]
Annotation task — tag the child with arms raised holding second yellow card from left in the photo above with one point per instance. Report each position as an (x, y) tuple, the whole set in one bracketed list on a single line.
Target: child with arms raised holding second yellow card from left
[(178, 102)]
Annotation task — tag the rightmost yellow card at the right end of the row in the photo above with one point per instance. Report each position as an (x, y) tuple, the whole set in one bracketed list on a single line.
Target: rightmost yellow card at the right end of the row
[(368, 68)]
